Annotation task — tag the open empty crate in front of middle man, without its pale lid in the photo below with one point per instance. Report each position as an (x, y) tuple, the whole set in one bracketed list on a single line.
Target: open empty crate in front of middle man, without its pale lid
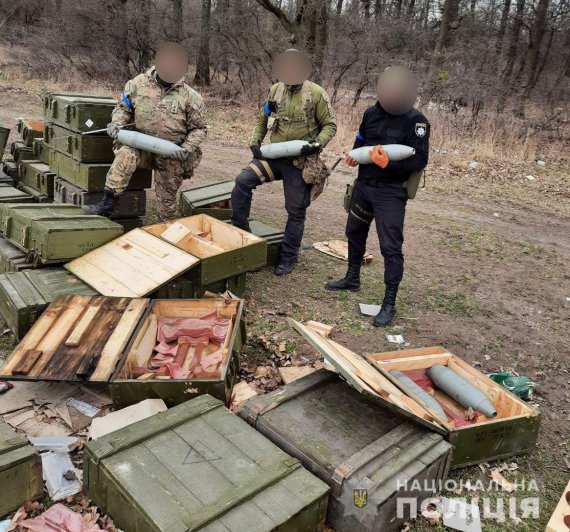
[(223, 250)]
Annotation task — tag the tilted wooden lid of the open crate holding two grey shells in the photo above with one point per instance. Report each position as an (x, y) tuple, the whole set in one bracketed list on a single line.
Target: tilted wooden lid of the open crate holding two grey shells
[(359, 373)]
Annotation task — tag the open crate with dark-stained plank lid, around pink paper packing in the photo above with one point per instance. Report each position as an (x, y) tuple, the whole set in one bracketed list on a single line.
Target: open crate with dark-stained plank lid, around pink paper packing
[(108, 339)]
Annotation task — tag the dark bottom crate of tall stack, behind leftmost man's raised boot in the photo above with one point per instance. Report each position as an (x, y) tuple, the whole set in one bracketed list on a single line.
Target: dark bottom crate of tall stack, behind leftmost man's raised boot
[(131, 203)]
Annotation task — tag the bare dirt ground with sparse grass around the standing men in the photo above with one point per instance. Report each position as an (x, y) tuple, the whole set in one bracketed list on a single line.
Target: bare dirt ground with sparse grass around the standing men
[(487, 277)]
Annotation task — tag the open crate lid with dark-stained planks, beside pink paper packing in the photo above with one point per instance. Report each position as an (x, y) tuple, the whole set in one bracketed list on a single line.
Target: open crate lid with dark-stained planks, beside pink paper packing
[(77, 338)]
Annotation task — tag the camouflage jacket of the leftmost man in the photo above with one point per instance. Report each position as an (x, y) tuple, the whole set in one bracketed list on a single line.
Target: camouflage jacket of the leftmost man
[(175, 114)]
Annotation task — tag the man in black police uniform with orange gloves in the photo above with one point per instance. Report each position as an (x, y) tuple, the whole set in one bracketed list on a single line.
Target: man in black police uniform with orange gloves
[(379, 192)]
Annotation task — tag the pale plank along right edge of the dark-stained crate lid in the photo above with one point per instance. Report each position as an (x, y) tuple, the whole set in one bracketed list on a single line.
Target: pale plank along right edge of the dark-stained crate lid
[(118, 341)]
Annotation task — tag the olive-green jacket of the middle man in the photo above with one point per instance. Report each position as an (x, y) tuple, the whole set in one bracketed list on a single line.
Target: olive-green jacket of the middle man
[(304, 112)]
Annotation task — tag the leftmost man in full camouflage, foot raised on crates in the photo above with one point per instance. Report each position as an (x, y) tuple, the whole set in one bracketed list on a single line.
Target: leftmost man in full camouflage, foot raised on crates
[(160, 104)]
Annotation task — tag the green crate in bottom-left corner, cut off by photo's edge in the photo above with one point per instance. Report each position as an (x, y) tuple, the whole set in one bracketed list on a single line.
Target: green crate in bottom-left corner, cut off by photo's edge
[(20, 471)]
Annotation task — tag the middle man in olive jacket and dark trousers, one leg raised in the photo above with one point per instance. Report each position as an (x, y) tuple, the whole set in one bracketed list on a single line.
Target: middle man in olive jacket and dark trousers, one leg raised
[(295, 109)]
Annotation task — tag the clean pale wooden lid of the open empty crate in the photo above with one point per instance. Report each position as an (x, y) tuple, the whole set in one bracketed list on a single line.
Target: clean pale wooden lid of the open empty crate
[(133, 265)]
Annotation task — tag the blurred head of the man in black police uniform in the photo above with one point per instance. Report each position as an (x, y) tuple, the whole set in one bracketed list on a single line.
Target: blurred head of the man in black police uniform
[(397, 90)]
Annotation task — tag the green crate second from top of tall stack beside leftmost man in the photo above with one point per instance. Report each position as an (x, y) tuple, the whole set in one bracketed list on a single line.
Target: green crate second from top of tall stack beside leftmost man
[(82, 148)]
